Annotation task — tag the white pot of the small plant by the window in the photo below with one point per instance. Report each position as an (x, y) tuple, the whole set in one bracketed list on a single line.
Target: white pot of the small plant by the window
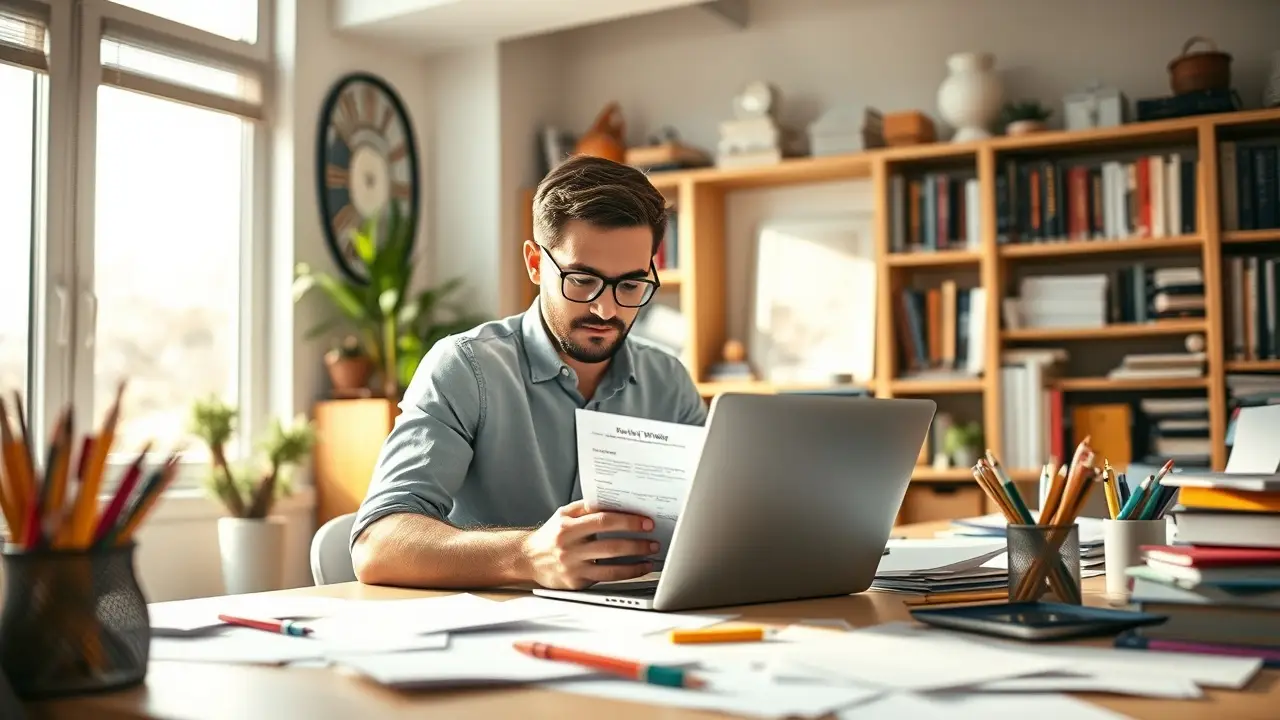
[(253, 554)]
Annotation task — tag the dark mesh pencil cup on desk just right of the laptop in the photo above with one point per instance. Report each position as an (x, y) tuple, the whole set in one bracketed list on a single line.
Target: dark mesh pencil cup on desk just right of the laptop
[(1045, 564)]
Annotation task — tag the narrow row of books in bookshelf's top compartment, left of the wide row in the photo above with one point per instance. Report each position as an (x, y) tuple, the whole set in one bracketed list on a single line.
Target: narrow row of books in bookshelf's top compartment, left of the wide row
[(935, 212)]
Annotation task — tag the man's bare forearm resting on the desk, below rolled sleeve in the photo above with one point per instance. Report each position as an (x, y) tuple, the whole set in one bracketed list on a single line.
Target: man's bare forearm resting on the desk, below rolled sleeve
[(418, 552)]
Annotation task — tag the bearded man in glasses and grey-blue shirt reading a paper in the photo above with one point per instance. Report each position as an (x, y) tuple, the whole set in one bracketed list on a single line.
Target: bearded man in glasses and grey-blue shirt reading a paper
[(477, 486)]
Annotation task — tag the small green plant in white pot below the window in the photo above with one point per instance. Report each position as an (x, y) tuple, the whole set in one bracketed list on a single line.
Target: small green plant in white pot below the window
[(252, 540)]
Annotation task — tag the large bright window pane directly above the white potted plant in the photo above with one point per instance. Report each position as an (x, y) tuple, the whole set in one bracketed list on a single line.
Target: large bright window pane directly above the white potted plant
[(167, 261)]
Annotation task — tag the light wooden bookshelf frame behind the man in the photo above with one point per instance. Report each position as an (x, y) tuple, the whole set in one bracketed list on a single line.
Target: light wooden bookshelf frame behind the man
[(701, 282)]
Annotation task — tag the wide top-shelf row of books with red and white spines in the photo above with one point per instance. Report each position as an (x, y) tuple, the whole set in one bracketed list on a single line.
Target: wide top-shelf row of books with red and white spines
[(1064, 200)]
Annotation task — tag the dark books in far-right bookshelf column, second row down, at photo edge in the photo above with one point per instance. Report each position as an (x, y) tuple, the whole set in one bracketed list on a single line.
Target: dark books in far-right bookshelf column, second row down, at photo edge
[(1250, 298)]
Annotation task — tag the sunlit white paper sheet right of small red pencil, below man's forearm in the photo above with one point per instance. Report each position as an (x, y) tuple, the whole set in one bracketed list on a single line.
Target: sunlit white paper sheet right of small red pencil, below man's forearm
[(428, 616)]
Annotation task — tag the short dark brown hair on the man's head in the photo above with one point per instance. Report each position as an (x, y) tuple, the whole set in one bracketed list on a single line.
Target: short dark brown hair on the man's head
[(601, 193)]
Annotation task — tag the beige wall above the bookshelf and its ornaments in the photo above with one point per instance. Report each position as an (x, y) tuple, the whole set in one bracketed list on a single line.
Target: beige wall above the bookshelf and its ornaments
[(683, 67)]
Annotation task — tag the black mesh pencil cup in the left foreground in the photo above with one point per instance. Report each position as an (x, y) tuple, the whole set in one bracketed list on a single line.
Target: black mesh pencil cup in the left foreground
[(74, 622)]
